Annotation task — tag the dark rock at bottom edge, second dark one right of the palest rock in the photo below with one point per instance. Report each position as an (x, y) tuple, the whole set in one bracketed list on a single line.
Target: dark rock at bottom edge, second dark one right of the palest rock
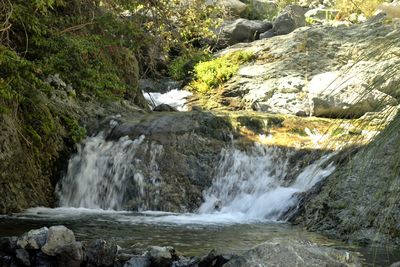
[(101, 253)]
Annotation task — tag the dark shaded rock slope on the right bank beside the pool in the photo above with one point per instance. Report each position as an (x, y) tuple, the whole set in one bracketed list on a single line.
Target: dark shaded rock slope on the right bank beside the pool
[(359, 201)]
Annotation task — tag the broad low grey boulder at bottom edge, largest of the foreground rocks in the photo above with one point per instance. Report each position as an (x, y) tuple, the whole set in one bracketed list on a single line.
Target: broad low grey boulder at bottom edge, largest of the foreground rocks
[(293, 252)]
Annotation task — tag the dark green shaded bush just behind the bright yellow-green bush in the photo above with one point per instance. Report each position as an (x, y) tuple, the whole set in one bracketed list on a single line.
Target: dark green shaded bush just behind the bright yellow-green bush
[(182, 66)]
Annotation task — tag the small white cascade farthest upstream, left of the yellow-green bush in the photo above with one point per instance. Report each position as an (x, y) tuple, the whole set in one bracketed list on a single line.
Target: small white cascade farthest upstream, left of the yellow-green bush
[(175, 98)]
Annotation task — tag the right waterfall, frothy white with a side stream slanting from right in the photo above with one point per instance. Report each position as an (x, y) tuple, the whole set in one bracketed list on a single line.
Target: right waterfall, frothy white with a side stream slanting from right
[(253, 184)]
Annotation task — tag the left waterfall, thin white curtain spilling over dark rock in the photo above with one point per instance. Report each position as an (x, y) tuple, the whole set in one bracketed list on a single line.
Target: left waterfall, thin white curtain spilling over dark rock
[(102, 174)]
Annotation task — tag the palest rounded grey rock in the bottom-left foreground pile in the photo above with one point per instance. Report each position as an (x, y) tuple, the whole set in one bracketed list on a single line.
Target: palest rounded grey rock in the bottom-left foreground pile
[(58, 236)]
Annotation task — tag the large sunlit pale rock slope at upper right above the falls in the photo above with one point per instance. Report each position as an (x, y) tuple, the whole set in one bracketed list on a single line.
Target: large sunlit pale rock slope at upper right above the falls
[(322, 70)]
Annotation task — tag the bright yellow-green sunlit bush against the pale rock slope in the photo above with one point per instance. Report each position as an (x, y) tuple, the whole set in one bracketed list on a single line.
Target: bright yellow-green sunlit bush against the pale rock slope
[(211, 74)]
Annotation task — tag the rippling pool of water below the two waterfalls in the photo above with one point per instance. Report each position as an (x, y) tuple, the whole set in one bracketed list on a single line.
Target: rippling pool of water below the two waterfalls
[(191, 234)]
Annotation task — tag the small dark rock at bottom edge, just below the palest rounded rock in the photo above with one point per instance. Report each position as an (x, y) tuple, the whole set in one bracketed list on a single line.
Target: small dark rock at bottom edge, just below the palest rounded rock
[(70, 255)]
